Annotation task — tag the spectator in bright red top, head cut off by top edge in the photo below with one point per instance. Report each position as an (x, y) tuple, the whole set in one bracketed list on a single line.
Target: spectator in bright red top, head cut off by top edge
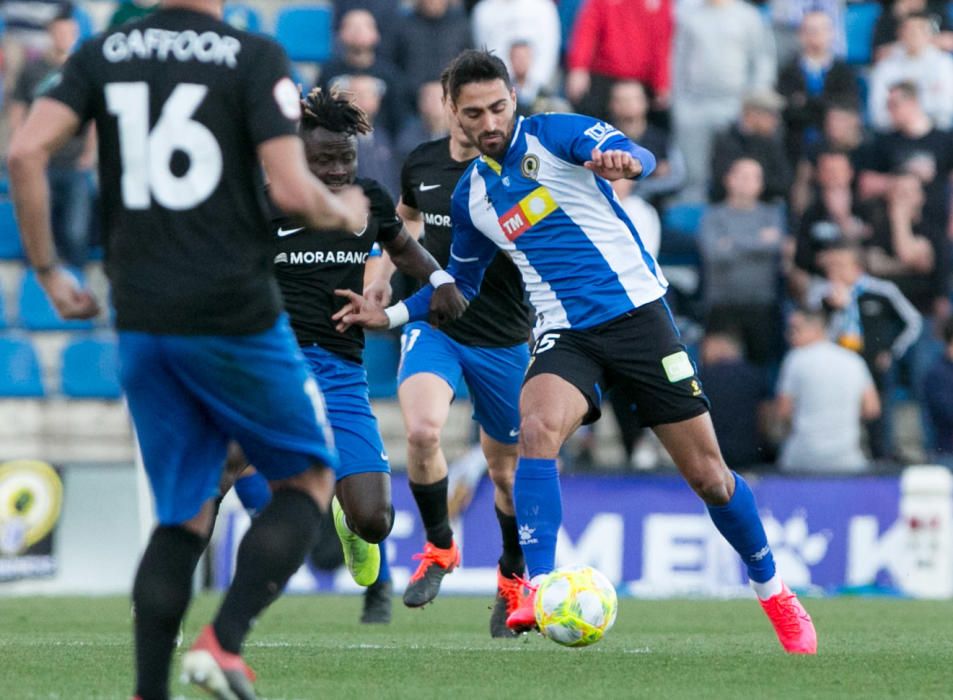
[(613, 41)]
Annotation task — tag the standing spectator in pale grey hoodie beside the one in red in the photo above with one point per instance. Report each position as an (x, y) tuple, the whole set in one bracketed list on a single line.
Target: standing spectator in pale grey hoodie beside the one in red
[(723, 51)]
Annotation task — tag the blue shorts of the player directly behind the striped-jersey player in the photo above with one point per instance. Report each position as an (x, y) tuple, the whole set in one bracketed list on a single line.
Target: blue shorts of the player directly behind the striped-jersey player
[(493, 375)]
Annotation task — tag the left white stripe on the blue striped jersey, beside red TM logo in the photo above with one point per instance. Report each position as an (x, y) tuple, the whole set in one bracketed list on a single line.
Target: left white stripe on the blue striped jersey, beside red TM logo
[(550, 312)]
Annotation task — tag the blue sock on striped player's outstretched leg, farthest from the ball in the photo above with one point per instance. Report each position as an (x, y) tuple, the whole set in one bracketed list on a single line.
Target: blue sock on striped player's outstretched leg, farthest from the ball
[(738, 521)]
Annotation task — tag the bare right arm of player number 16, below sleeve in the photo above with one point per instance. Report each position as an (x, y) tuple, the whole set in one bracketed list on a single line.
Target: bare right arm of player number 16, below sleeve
[(297, 192)]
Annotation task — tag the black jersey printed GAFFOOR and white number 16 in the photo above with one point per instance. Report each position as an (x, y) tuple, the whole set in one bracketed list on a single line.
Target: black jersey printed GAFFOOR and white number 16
[(181, 100)]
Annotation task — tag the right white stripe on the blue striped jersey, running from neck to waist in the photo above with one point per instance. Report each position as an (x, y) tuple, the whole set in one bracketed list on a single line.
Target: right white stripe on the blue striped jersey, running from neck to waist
[(575, 190)]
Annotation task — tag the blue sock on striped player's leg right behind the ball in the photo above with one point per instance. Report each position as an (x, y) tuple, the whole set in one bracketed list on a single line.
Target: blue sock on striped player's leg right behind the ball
[(539, 512)]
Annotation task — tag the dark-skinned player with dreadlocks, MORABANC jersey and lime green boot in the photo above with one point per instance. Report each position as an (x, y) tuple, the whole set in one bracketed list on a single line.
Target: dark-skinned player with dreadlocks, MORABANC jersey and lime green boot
[(309, 266)]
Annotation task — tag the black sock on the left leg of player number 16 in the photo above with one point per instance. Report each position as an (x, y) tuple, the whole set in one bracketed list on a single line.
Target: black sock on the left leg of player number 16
[(161, 596)]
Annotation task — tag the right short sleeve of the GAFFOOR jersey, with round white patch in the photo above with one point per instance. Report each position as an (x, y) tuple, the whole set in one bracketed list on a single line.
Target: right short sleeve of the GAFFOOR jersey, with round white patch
[(272, 102)]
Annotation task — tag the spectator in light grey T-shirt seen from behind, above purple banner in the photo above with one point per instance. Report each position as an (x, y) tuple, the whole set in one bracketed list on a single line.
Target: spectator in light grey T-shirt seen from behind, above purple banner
[(824, 393)]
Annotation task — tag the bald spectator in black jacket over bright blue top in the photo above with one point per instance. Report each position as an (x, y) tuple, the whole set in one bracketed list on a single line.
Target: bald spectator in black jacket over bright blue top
[(811, 81)]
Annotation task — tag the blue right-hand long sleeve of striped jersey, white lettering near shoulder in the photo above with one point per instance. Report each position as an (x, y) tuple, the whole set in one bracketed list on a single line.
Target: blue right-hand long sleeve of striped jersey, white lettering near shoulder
[(573, 136)]
